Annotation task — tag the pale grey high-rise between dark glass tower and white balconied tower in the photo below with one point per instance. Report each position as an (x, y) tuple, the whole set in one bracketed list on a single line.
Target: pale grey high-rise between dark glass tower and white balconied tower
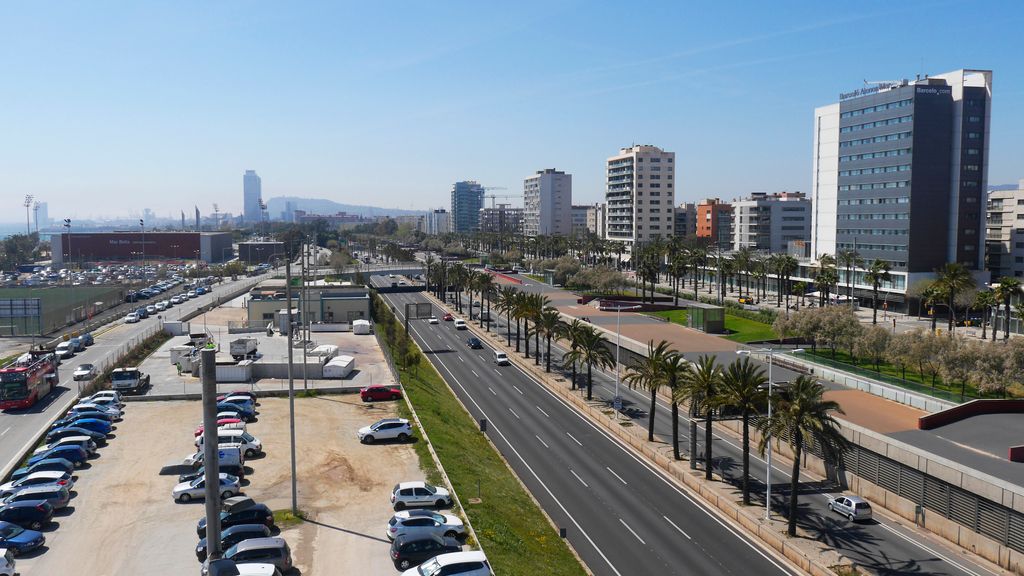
[(547, 200)]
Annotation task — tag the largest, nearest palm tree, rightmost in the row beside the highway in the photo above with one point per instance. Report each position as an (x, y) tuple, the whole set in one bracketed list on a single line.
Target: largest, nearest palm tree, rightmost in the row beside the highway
[(803, 419)]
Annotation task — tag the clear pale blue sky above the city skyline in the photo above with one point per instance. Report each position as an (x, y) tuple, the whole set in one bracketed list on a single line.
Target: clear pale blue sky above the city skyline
[(109, 108)]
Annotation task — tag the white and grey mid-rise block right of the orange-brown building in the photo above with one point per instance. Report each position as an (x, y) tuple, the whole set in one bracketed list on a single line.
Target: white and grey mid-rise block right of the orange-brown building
[(771, 222)]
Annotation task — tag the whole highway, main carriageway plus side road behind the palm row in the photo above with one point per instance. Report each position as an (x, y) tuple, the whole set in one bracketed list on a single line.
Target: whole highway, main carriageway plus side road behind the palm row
[(623, 503)]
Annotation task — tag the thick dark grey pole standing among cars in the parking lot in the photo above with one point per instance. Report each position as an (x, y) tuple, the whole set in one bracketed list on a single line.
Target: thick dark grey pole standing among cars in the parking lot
[(210, 458)]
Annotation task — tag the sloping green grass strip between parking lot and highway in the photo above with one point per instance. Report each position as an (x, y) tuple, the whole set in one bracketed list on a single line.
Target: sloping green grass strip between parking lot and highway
[(511, 528)]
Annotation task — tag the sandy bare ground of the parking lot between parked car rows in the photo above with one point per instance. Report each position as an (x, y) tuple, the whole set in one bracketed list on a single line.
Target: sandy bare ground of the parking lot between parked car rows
[(124, 508)]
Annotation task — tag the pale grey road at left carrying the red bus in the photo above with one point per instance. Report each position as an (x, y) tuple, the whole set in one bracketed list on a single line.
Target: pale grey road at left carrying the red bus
[(19, 428)]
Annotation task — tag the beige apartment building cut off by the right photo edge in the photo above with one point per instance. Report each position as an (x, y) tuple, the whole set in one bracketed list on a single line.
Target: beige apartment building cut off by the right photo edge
[(1004, 238)]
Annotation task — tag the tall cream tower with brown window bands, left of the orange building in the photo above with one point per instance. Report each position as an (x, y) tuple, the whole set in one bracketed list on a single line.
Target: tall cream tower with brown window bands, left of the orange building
[(641, 194)]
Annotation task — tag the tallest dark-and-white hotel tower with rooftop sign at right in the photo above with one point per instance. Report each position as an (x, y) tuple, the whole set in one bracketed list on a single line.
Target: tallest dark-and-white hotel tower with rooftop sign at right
[(900, 173)]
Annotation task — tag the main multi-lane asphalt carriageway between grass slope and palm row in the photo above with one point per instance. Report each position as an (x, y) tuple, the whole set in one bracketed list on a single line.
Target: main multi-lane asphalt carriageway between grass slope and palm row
[(623, 516)]
